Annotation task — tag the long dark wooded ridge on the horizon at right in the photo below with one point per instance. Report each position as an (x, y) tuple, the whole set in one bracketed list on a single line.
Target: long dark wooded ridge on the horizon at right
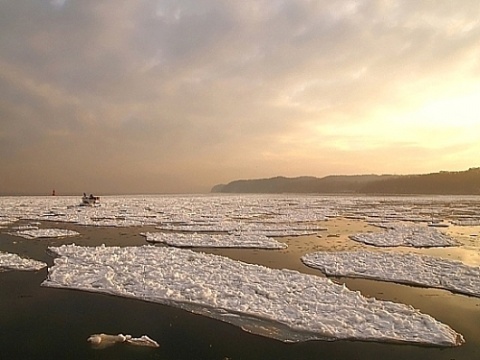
[(447, 183)]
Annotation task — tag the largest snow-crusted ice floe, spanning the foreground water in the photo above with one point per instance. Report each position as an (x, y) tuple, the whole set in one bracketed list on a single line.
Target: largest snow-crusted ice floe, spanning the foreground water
[(284, 304)]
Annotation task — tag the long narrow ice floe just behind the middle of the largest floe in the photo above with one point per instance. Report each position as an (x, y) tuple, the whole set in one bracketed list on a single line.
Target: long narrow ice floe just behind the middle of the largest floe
[(214, 240)]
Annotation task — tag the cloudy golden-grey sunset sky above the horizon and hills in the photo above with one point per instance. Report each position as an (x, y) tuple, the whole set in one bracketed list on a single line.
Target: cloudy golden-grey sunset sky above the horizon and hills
[(176, 96)]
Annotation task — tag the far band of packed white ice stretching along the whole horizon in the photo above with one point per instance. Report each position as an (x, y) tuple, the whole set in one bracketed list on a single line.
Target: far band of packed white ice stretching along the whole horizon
[(245, 212)]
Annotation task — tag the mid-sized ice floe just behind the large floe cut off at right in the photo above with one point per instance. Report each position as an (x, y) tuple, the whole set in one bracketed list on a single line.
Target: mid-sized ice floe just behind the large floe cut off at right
[(401, 234)]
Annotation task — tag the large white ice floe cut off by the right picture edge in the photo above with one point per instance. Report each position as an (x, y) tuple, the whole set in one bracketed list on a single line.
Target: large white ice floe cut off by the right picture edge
[(415, 269)]
